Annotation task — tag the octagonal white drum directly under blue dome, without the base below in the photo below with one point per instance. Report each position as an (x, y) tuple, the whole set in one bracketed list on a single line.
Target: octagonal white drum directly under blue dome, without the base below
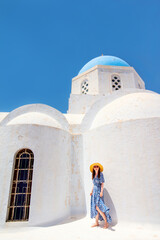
[(99, 79)]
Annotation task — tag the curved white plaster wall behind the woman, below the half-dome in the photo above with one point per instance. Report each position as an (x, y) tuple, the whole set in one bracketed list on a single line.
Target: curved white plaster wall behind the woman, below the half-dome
[(130, 154)]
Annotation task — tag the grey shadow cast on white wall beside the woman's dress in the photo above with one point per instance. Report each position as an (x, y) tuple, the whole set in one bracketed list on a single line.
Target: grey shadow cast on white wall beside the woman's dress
[(108, 201)]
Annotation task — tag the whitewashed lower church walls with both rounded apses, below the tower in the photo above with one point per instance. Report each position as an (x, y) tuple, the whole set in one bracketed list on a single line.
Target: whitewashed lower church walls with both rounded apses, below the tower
[(121, 132)]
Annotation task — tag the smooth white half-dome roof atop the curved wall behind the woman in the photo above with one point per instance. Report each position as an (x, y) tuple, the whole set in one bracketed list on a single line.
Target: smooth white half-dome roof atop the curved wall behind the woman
[(129, 107)]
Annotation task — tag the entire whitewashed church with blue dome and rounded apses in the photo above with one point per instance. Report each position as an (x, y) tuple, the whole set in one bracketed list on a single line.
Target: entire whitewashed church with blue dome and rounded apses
[(45, 154)]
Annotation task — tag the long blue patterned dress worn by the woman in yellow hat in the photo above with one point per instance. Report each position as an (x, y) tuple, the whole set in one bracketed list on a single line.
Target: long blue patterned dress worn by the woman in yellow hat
[(99, 201)]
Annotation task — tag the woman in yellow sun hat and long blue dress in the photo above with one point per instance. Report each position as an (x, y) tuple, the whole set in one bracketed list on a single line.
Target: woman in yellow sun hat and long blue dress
[(98, 208)]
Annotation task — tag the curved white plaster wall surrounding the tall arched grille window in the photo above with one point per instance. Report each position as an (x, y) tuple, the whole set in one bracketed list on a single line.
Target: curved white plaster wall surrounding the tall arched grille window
[(50, 196)]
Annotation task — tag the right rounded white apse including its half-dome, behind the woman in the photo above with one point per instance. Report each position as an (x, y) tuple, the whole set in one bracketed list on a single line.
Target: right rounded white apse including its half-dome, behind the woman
[(127, 144)]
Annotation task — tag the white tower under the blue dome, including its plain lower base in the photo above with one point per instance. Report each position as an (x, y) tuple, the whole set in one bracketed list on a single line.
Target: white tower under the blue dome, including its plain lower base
[(100, 85)]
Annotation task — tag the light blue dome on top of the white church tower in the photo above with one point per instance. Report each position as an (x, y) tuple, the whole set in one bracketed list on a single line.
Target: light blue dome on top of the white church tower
[(104, 60)]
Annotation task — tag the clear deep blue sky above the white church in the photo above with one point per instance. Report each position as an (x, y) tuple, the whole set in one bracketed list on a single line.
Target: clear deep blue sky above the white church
[(44, 44)]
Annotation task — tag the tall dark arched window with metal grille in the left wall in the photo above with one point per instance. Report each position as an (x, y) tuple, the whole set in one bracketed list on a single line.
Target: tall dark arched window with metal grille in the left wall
[(20, 195)]
